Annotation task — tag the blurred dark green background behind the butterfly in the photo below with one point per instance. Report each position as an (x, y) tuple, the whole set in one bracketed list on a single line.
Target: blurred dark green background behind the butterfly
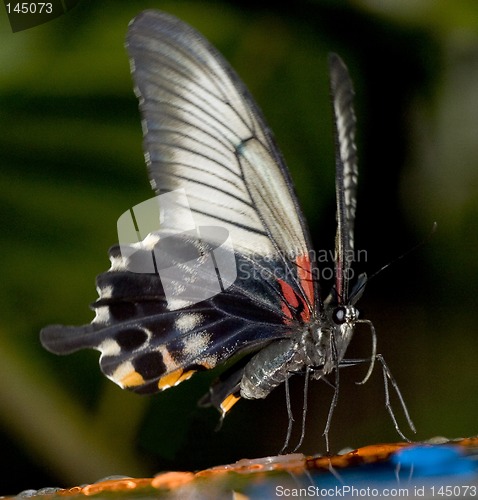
[(71, 162)]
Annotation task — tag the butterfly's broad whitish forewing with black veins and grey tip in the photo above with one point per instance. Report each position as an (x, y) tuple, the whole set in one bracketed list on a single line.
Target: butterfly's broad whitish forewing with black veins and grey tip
[(204, 133)]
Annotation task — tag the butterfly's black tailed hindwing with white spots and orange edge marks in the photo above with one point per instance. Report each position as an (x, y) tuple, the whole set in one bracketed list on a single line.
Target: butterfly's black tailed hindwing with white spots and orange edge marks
[(146, 346)]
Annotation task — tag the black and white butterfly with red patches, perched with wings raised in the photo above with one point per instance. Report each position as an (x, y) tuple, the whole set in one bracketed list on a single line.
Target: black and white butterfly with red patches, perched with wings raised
[(243, 282)]
